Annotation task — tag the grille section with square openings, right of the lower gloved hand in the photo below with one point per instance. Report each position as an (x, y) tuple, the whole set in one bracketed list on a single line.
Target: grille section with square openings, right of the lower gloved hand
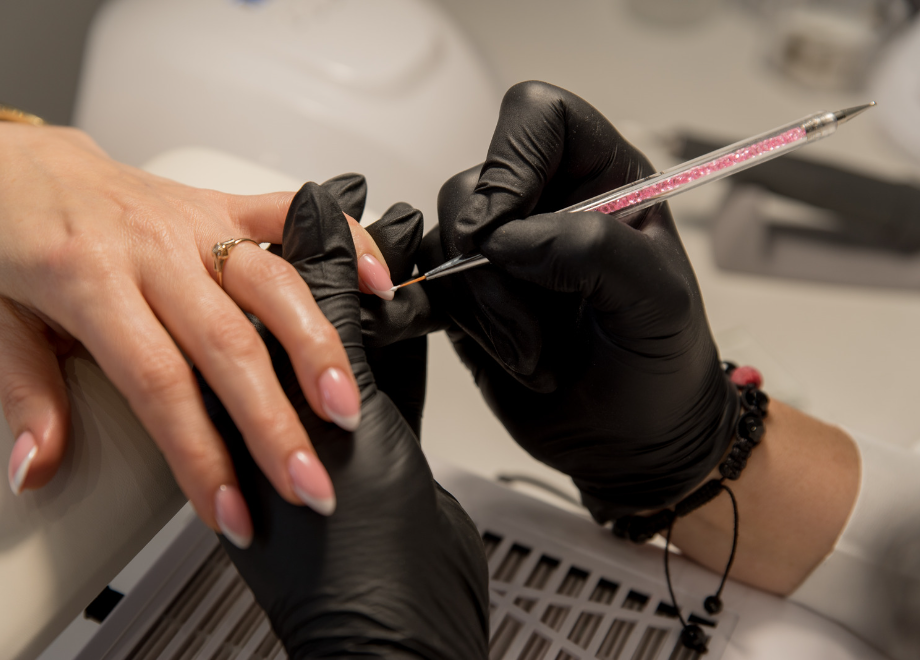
[(552, 602)]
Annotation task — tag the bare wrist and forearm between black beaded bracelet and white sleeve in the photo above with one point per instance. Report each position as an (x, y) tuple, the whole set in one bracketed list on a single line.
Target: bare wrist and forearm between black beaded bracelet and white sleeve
[(794, 499)]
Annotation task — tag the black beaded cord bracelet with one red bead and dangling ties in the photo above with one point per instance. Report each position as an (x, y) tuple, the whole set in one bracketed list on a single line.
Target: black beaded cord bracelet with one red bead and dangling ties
[(748, 434)]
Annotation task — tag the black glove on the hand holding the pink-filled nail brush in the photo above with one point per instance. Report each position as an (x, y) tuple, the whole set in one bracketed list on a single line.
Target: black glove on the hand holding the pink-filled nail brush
[(587, 336)]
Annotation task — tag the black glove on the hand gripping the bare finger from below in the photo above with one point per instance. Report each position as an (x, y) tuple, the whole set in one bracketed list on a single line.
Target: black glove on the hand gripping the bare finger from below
[(398, 570)]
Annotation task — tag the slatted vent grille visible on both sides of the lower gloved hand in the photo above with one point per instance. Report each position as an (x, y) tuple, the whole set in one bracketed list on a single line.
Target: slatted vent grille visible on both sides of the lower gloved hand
[(546, 604)]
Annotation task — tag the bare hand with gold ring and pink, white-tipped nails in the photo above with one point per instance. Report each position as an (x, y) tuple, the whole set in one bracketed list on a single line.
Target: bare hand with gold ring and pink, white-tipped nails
[(120, 260)]
